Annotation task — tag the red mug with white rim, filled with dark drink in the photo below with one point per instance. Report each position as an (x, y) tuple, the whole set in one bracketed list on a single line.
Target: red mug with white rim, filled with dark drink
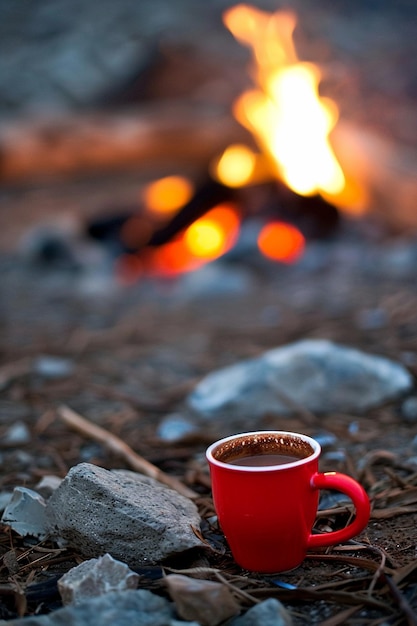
[(267, 511)]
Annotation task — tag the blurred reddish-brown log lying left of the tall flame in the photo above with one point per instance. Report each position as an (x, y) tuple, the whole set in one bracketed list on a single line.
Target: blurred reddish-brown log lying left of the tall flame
[(110, 142)]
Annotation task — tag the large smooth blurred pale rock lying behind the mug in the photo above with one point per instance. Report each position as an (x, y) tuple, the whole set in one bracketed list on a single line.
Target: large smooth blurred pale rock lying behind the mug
[(319, 375)]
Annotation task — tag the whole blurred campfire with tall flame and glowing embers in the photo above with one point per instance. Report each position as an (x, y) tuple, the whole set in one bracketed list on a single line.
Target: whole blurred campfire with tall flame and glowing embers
[(291, 124)]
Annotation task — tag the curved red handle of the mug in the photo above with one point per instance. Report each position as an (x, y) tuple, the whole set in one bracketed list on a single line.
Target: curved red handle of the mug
[(358, 495)]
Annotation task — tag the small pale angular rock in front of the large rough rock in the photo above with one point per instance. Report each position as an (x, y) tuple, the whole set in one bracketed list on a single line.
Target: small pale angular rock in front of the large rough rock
[(96, 577)]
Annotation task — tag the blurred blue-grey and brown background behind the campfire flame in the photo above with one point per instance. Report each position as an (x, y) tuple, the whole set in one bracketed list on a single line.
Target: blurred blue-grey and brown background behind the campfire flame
[(97, 99)]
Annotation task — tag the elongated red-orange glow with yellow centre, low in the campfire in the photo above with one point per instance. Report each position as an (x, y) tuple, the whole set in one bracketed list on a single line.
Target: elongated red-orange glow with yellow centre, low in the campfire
[(206, 239)]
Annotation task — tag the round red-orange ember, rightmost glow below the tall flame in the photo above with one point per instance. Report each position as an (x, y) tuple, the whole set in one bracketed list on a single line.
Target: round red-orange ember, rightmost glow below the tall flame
[(281, 242)]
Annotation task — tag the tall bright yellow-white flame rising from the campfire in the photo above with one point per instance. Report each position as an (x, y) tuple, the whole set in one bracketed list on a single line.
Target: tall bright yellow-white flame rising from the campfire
[(291, 122)]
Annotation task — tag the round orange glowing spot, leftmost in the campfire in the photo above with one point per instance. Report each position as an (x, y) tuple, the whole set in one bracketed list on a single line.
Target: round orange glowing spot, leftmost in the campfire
[(167, 195)]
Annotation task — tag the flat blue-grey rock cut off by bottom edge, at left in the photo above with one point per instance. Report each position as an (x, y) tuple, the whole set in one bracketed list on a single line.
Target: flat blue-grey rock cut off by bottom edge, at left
[(124, 608)]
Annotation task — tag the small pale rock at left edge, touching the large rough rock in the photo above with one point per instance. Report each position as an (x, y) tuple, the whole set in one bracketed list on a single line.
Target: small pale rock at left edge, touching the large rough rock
[(25, 513)]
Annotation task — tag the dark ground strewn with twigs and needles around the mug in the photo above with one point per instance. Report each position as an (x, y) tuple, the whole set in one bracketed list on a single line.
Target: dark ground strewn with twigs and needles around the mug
[(137, 350)]
